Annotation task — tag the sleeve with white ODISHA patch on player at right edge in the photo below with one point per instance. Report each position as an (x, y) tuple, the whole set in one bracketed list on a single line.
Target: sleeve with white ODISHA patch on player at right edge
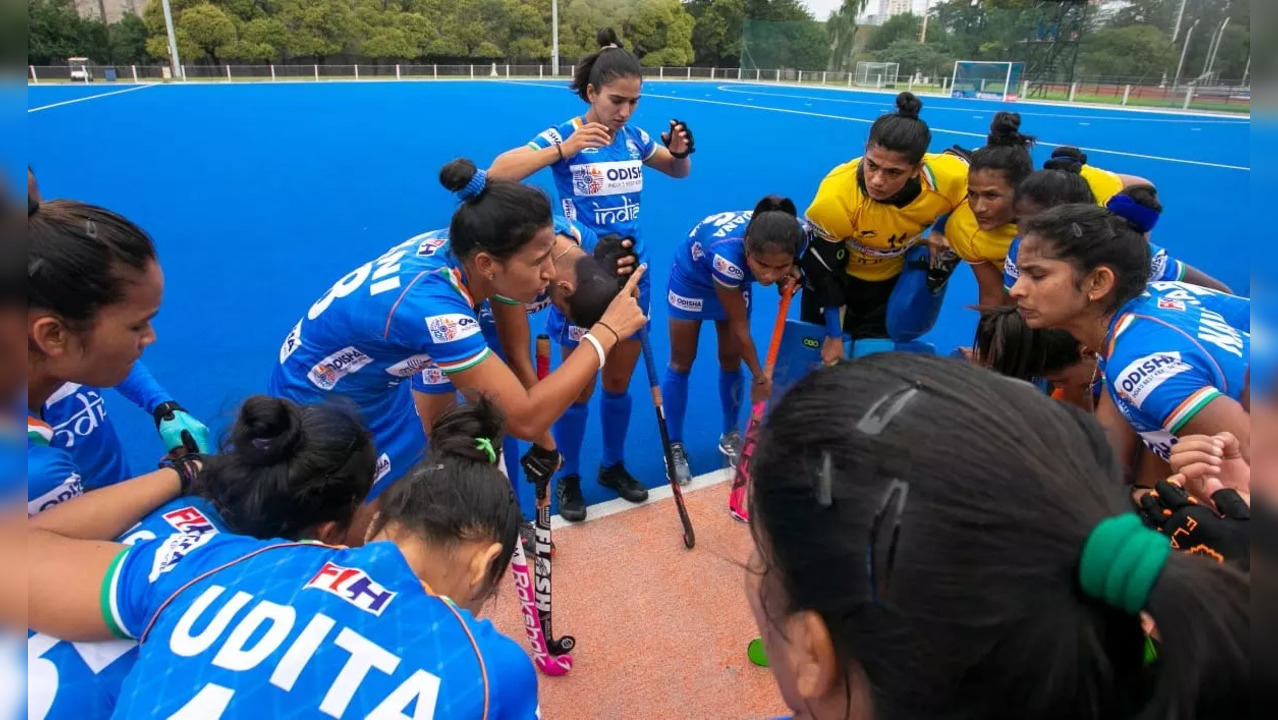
[(1162, 373)]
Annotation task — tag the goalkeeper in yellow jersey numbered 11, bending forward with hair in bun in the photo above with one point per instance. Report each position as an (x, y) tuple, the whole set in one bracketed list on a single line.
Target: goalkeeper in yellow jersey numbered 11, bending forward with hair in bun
[(870, 214)]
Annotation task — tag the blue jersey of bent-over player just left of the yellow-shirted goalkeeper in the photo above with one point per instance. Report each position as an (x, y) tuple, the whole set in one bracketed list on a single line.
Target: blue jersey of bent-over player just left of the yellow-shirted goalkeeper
[(715, 254)]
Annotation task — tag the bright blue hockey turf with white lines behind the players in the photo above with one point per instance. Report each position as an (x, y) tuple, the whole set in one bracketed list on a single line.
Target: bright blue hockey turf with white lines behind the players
[(261, 196)]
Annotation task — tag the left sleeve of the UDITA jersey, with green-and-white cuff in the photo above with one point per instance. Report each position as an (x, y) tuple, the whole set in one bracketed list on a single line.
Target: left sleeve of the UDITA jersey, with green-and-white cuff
[(144, 576)]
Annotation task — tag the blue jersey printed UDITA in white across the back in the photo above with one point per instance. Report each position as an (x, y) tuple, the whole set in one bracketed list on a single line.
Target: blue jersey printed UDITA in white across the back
[(250, 629)]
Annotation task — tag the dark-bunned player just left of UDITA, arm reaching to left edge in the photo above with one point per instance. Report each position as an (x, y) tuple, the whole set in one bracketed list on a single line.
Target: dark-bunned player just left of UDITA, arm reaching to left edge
[(286, 473)]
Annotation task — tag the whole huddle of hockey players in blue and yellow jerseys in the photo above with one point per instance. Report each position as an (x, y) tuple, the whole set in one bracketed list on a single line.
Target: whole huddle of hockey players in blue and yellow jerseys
[(333, 554)]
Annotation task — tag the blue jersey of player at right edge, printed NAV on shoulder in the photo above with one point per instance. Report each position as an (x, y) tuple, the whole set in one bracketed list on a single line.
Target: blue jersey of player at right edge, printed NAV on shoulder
[(1171, 352)]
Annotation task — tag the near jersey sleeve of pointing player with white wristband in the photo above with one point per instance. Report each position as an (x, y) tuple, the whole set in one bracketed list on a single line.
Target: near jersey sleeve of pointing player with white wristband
[(436, 319)]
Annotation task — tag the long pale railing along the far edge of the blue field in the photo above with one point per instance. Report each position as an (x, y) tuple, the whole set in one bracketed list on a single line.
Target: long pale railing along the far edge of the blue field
[(1100, 91)]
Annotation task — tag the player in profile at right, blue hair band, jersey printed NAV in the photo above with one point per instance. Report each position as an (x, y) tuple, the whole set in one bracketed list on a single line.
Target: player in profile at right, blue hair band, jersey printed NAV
[(1175, 357)]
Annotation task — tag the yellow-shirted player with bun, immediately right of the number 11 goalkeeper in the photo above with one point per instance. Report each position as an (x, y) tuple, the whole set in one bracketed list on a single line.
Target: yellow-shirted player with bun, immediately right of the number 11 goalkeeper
[(983, 228)]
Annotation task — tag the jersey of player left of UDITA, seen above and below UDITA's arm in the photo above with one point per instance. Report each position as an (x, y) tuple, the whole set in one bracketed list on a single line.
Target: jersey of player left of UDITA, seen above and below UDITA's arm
[(81, 681)]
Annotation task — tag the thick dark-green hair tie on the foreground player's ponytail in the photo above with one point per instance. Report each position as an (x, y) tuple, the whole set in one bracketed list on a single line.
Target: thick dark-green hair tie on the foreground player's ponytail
[(1121, 562)]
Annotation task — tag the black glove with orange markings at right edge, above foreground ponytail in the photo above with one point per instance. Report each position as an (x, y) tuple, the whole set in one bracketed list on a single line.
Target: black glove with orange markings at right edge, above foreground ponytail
[(1193, 528)]
